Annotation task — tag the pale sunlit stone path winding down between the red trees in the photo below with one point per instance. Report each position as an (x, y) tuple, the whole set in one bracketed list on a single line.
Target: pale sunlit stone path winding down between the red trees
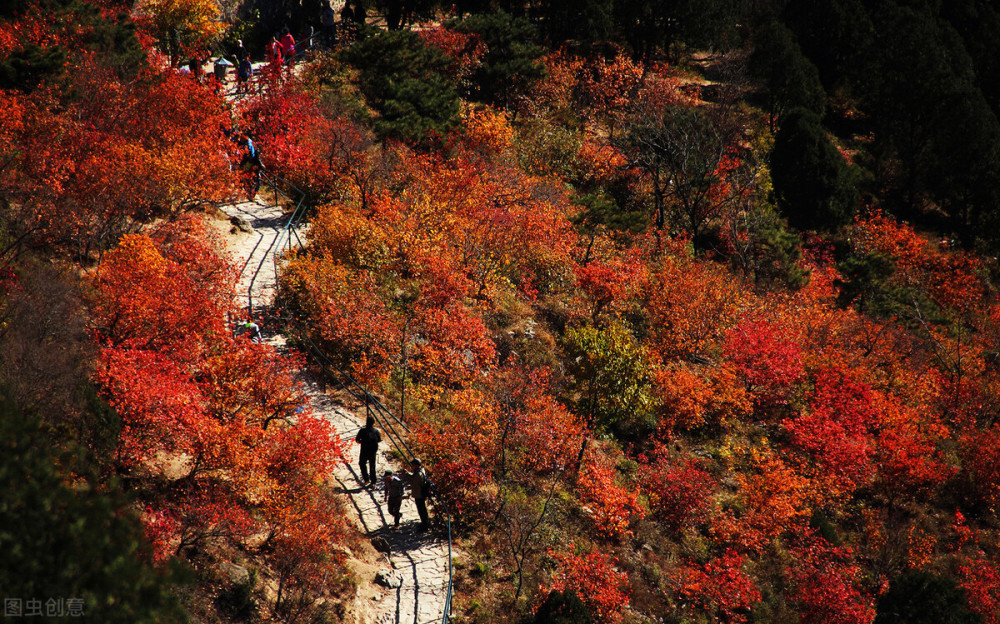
[(418, 562)]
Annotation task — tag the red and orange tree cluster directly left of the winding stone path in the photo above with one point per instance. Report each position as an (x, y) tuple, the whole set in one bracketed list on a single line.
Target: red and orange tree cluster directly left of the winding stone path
[(215, 435)]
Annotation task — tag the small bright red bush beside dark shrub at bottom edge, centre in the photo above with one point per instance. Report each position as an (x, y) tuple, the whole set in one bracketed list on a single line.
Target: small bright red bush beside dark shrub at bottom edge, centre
[(604, 589)]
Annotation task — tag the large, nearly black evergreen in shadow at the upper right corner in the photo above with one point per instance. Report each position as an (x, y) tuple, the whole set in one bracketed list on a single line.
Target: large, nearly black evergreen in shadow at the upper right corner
[(935, 136)]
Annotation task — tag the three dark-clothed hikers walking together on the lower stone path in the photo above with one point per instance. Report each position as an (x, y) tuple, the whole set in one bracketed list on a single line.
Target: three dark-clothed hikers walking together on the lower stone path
[(394, 483)]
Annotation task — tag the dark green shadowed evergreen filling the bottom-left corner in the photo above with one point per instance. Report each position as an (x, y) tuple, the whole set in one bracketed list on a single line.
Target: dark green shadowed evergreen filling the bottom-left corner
[(61, 539)]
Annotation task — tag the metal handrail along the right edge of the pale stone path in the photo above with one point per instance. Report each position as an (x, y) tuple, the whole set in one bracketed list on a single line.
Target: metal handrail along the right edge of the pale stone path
[(380, 413)]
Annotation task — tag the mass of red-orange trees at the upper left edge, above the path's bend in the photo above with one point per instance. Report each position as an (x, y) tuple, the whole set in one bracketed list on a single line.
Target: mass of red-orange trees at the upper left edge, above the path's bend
[(89, 167)]
